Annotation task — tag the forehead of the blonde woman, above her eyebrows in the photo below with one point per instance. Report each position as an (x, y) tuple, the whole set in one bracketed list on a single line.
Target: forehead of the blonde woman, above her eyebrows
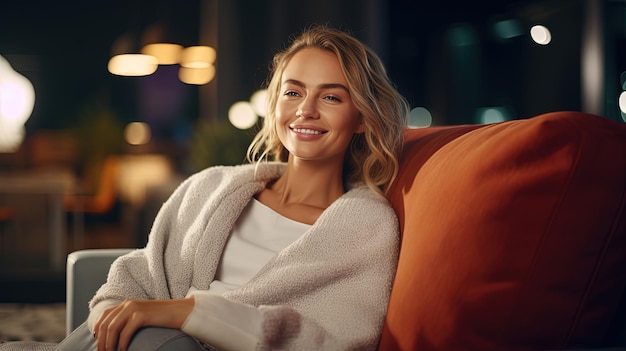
[(314, 65)]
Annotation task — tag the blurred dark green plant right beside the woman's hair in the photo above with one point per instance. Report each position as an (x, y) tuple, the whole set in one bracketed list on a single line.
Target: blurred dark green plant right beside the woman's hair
[(218, 143)]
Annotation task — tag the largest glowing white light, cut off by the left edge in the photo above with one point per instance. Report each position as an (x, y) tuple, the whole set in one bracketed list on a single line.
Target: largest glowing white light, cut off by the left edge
[(17, 99)]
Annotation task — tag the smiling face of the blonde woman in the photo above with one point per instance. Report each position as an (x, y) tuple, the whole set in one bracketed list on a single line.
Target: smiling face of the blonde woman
[(315, 115)]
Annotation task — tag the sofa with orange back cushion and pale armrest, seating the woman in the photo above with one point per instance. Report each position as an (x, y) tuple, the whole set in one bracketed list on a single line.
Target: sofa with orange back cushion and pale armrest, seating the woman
[(513, 238)]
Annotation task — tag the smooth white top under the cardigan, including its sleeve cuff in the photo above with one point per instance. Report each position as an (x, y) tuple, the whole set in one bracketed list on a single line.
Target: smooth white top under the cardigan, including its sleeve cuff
[(258, 235)]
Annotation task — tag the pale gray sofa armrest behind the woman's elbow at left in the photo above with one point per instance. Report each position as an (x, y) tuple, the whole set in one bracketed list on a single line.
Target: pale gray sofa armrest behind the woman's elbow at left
[(86, 272)]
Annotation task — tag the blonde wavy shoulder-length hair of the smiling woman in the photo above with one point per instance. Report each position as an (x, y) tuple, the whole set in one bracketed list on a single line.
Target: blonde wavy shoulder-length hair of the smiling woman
[(372, 157)]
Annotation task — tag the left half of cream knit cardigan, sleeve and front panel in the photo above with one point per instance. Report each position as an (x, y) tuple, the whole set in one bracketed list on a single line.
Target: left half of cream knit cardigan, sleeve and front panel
[(187, 236)]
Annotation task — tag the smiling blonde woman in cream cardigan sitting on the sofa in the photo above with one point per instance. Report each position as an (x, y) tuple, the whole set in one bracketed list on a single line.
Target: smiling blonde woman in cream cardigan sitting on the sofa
[(296, 250)]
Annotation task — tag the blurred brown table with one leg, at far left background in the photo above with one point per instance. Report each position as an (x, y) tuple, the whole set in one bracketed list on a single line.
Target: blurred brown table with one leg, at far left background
[(54, 185)]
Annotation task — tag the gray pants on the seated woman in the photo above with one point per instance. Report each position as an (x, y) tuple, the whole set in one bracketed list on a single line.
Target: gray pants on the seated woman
[(146, 339)]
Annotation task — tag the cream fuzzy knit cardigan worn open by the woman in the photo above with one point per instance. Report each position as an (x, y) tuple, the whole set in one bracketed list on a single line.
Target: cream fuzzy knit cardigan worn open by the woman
[(327, 290)]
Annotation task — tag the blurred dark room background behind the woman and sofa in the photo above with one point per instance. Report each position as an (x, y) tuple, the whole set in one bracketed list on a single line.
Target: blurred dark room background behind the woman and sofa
[(456, 62)]
